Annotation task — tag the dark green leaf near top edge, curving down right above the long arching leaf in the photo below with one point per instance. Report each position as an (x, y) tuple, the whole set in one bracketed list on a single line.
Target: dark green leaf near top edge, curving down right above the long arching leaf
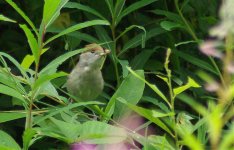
[(84, 8)]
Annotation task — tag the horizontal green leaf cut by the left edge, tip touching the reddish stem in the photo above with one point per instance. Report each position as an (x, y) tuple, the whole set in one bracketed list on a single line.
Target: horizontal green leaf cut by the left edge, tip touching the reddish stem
[(4, 117)]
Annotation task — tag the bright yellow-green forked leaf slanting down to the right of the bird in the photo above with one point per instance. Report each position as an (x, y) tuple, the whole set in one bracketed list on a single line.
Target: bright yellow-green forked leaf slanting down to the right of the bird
[(149, 114)]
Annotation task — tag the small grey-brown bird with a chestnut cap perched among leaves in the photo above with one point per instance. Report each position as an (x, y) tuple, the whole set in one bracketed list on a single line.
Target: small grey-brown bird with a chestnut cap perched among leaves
[(85, 82)]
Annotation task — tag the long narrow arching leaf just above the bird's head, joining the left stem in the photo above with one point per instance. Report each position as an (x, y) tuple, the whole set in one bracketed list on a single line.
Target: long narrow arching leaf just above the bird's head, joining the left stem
[(78, 27)]
